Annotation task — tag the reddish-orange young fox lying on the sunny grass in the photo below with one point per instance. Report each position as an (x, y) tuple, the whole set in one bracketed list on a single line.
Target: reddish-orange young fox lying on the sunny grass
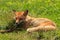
[(36, 23)]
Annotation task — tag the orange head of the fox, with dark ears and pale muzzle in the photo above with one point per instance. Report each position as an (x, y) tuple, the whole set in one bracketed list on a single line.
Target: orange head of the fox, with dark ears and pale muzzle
[(20, 16)]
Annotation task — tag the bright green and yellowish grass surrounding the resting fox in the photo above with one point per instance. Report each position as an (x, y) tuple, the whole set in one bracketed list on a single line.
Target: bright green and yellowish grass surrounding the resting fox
[(37, 8)]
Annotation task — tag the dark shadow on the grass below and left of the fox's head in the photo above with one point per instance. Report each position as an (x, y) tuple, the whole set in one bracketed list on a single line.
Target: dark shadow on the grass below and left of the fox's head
[(12, 27)]
